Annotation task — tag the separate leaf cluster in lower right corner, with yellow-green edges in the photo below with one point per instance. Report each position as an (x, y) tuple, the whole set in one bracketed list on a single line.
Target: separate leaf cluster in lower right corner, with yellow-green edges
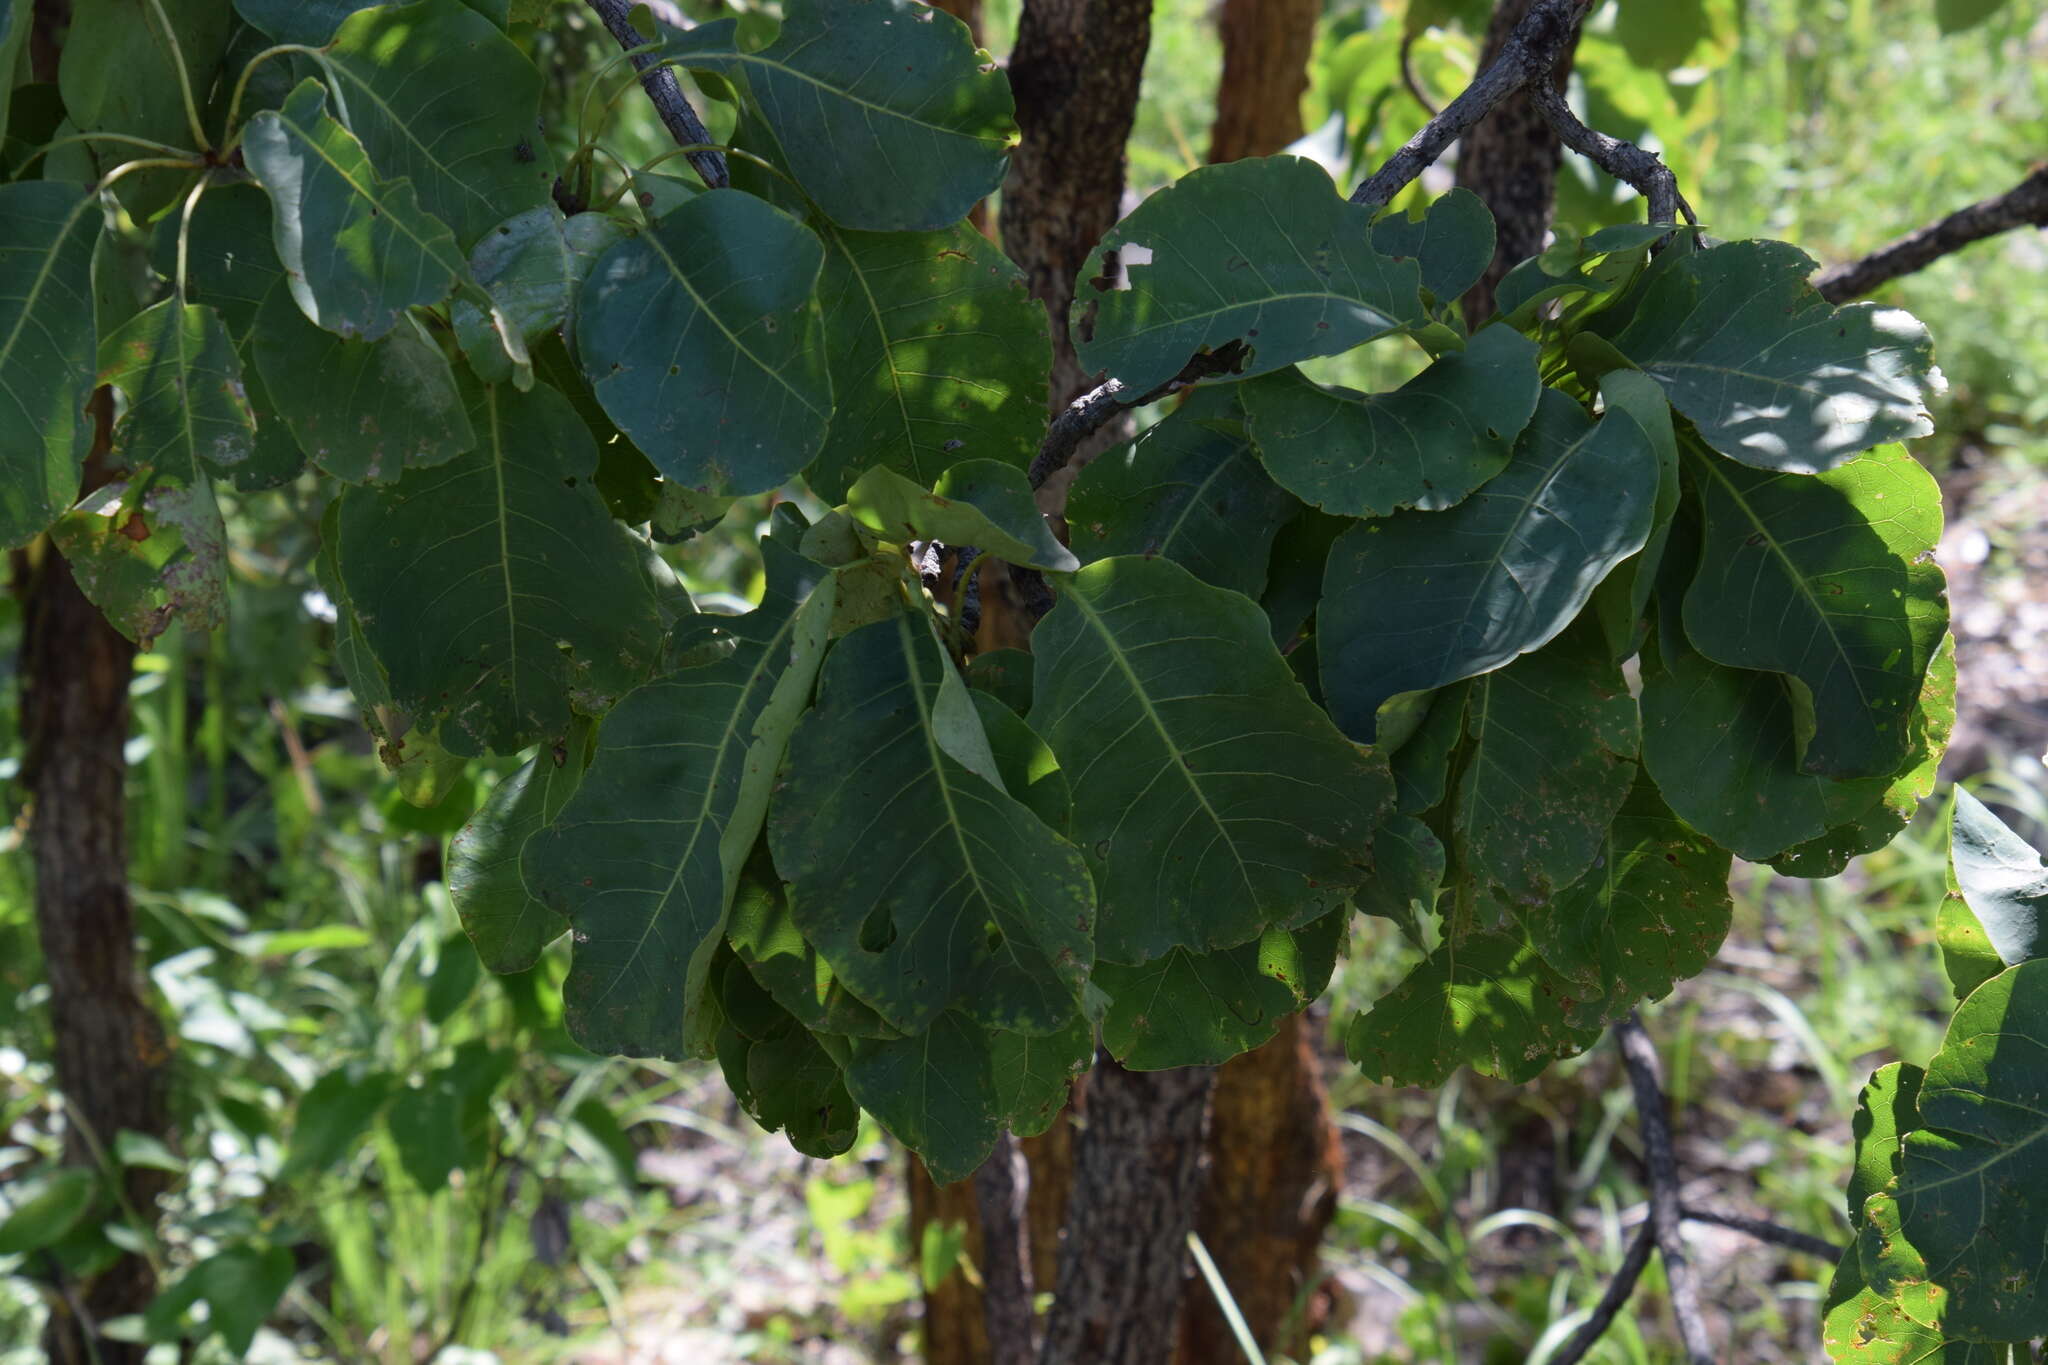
[(1951, 1196)]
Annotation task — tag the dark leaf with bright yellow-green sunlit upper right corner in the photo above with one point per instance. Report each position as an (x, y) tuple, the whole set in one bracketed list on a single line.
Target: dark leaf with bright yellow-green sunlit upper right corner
[(1832, 582)]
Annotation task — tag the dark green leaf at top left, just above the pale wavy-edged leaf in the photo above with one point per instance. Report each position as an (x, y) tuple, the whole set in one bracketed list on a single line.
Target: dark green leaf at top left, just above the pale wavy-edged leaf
[(450, 103)]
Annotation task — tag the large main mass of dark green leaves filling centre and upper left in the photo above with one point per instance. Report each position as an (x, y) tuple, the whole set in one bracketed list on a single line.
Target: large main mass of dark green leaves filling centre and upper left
[(1314, 652)]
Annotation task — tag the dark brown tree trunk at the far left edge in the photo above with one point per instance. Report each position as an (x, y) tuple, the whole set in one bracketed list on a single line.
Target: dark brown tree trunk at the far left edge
[(110, 1045)]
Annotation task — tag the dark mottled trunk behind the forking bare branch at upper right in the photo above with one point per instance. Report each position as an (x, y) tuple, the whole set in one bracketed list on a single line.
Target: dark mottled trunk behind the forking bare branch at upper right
[(1510, 161)]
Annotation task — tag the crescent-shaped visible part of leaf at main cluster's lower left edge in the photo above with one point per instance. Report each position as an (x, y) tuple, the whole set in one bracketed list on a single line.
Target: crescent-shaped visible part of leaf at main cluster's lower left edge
[(503, 918)]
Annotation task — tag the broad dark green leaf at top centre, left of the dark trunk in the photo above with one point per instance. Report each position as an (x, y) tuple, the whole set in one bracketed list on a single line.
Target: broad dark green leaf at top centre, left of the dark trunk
[(884, 109)]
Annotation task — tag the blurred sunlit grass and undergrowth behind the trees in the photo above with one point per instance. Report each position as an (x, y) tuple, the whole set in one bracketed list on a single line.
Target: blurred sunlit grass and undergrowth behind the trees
[(388, 1155)]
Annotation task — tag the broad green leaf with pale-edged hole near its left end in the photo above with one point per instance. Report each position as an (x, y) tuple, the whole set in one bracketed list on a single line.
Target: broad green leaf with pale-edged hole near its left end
[(1263, 251)]
